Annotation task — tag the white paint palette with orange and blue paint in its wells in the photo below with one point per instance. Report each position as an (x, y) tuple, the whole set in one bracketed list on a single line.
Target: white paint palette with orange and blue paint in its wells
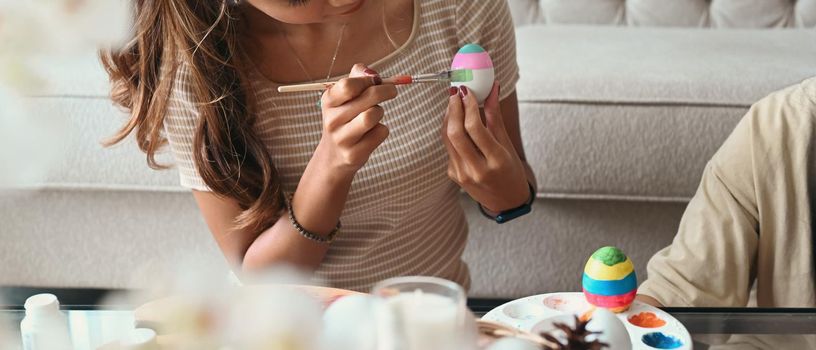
[(648, 326)]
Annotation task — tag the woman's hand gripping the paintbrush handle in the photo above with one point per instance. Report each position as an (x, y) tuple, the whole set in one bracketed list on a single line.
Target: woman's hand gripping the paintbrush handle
[(351, 120)]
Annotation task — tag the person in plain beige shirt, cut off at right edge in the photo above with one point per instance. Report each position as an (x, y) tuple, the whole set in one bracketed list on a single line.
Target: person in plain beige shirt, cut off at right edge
[(751, 220)]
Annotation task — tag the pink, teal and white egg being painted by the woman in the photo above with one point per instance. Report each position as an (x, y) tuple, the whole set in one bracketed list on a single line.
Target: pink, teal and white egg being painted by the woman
[(475, 58)]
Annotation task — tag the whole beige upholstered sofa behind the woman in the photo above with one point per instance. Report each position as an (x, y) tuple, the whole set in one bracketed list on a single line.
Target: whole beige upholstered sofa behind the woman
[(622, 103)]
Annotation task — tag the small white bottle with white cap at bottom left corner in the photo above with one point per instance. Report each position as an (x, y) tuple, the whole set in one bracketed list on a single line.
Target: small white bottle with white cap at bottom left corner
[(44, 326)]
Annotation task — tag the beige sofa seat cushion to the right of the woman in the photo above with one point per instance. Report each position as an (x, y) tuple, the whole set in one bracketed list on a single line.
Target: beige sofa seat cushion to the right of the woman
[(627, 113)]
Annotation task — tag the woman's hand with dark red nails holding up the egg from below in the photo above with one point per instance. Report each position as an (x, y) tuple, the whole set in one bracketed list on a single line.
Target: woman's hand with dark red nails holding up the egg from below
[(483, 160)]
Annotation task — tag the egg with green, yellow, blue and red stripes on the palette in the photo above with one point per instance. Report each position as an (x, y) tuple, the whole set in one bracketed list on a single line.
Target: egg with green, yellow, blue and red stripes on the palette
[(609, 280)]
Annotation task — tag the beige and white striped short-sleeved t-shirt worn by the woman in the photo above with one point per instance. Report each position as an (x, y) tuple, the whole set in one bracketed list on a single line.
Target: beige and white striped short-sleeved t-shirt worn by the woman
[(402, 216)]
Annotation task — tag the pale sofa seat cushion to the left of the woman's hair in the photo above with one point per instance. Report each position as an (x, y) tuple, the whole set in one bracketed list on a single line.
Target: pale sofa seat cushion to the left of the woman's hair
[(76, 100)]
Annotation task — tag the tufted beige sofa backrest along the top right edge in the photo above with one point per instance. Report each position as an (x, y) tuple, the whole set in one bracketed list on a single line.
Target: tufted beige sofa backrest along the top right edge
[(668, 13)]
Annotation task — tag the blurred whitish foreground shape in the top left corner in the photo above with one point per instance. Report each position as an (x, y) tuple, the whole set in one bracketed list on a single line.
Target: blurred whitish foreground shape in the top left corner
[(35, 35)]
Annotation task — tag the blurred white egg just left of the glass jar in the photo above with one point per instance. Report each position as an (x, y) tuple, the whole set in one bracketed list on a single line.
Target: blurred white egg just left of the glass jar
[(350, 323)]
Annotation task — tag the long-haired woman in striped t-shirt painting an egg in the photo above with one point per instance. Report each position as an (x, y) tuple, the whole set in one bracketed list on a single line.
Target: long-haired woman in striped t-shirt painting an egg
[(275, 175)]
